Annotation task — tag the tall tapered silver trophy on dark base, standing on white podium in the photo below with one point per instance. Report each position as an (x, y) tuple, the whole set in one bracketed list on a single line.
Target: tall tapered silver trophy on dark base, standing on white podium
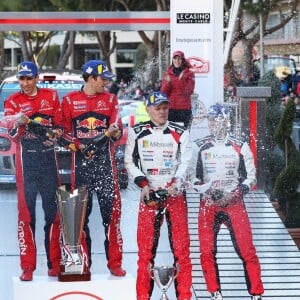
[(72, 209)]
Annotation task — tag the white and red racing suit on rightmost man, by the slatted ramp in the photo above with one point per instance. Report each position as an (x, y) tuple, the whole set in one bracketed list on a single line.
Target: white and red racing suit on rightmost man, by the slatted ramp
[(229, 165)]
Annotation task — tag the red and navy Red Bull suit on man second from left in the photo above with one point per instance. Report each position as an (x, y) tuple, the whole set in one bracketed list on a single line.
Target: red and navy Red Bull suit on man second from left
[(85, 117)]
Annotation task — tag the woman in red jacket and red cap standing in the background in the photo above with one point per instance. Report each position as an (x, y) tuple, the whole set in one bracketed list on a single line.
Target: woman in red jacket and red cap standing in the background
[(178, 84)]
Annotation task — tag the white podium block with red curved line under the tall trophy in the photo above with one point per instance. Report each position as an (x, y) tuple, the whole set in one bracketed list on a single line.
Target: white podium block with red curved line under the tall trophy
[(101, 287)]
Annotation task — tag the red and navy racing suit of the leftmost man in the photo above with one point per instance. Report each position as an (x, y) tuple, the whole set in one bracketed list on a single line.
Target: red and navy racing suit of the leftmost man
[(36, 171)]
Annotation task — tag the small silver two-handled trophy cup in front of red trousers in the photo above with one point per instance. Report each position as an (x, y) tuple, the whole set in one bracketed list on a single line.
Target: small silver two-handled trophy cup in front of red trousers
[(163, 276)]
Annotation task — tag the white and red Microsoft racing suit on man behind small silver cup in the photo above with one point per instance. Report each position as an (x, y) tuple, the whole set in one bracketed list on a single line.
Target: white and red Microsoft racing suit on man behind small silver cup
[(154, 156)]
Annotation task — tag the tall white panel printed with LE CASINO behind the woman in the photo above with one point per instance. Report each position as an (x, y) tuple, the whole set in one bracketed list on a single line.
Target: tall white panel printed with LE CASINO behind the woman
[(197, 30)]
